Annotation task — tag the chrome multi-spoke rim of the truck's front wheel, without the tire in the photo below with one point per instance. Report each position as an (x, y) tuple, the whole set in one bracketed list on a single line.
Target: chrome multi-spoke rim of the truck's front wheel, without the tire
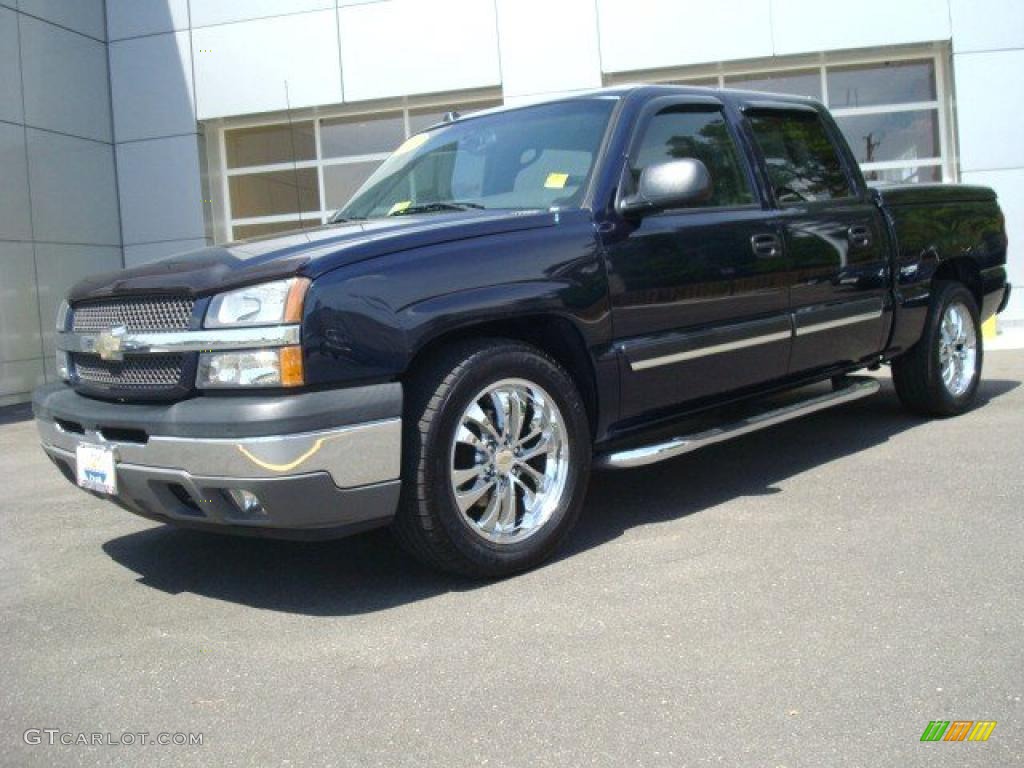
[(509, 461)]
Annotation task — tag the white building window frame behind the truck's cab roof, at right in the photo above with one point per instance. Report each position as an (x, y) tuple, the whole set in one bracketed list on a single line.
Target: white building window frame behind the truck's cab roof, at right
[(938, 55)]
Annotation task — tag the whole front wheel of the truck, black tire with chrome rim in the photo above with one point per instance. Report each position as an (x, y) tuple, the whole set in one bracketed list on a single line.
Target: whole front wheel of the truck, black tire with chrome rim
[(497, 455)]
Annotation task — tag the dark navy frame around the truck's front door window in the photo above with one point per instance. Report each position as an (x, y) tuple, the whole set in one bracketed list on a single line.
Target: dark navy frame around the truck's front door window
[(699, 104)]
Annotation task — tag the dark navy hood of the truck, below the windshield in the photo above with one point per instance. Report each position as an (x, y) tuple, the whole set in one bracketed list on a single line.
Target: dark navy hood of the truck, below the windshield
[(309, 253)]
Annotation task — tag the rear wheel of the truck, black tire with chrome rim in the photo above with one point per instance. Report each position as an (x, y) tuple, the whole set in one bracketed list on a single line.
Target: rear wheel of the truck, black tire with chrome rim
[(940, 376)]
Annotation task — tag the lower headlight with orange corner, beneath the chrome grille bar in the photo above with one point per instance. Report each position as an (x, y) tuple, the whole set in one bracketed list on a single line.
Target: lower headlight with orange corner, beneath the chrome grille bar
[(252, 368)]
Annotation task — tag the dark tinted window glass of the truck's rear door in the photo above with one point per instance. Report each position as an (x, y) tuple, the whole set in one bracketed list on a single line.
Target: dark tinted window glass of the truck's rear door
[(803, 165)]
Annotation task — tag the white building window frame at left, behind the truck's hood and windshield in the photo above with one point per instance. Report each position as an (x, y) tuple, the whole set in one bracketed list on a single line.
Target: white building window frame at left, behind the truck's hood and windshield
[(219, 201)]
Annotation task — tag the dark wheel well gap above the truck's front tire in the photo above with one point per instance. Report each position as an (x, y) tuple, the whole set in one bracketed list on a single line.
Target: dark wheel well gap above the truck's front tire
[(557, 336)]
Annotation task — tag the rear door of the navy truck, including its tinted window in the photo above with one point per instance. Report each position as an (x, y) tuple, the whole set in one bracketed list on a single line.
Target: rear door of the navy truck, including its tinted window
[(835, 237)]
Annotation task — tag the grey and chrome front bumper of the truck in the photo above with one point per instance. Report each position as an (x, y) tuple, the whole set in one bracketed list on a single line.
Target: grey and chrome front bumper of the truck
[(322, 464)]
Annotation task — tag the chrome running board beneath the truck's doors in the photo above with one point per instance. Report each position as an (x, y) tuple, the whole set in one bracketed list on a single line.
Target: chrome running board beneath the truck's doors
[(851, 390)]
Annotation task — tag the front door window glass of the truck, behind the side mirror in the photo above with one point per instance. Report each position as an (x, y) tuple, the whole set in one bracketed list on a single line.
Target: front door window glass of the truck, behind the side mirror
[(684, 133)]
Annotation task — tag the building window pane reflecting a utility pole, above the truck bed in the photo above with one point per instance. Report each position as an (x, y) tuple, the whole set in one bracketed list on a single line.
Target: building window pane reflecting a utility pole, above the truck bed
[(898, 136)]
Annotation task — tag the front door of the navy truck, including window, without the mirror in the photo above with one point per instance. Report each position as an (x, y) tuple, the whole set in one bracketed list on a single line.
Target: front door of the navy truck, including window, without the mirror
[(700, 296)]
